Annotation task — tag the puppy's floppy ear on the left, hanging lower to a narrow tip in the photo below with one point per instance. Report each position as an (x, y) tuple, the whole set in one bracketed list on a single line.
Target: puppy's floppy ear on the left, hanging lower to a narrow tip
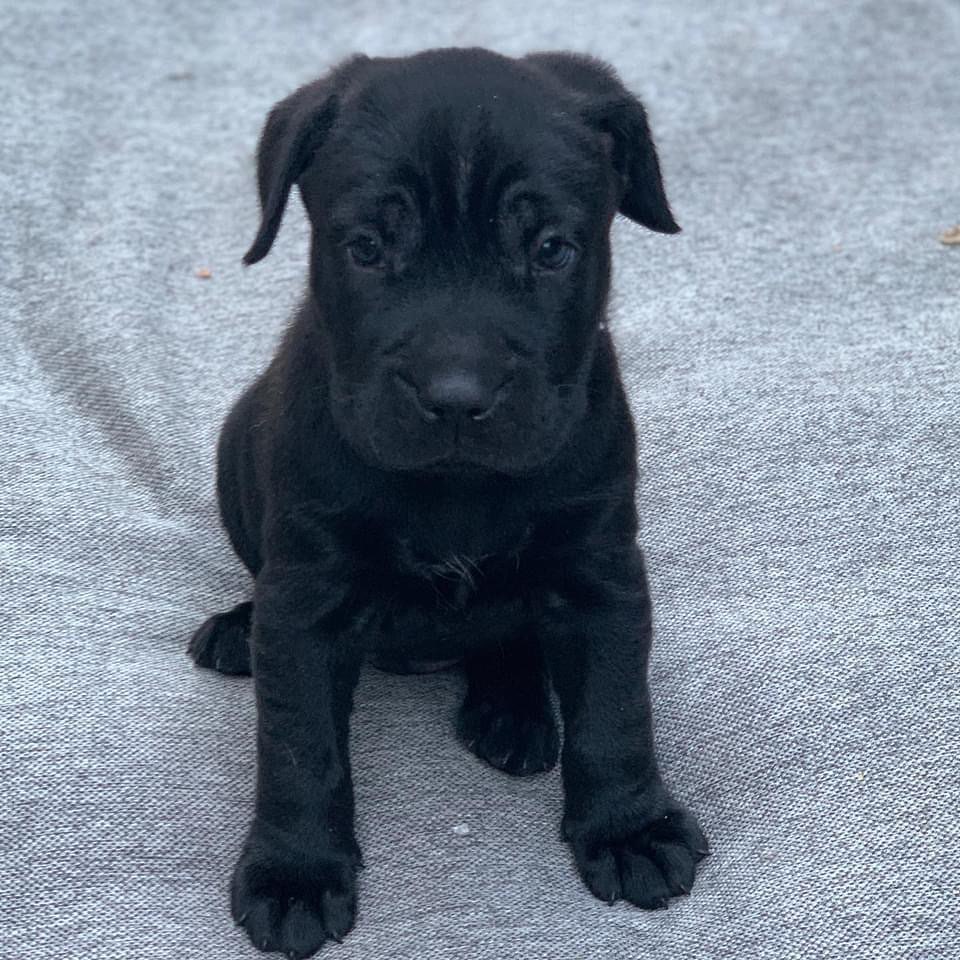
[(295, 129)]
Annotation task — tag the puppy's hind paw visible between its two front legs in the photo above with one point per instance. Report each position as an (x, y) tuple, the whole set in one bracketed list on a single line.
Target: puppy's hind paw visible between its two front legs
[(520, 740)]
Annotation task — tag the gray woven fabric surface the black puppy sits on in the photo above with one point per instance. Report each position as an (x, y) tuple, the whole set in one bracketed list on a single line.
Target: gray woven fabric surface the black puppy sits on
[(792, 359)]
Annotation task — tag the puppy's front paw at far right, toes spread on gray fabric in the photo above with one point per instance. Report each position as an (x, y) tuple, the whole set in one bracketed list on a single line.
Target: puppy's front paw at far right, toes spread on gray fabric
[(646, 864)]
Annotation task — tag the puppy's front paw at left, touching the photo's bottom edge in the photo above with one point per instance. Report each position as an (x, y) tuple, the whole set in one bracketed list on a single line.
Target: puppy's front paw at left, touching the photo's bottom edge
[(293, 900)]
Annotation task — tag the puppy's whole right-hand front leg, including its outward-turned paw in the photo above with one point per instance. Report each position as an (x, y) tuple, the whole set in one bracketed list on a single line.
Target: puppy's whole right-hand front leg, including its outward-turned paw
[(630, 838)]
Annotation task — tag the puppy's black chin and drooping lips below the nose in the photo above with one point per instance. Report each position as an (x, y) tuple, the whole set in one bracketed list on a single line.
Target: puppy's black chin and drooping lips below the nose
[(519, 442)]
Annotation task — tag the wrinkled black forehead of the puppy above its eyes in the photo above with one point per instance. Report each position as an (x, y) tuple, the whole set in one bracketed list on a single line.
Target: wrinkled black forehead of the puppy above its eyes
[(459, 144)]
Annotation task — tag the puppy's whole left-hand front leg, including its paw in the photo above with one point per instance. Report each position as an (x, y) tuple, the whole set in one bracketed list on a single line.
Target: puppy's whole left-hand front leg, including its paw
[(294, 885)]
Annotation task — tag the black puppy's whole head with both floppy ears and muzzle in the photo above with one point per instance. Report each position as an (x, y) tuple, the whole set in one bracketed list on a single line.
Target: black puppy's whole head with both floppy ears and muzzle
[(460, 204)]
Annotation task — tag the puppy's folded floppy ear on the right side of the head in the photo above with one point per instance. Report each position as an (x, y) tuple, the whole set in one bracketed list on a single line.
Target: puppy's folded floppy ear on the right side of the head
[(618, 116)]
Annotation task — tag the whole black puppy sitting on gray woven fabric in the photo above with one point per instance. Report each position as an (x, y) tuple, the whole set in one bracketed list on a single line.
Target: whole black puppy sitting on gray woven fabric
[(440, 463)]
